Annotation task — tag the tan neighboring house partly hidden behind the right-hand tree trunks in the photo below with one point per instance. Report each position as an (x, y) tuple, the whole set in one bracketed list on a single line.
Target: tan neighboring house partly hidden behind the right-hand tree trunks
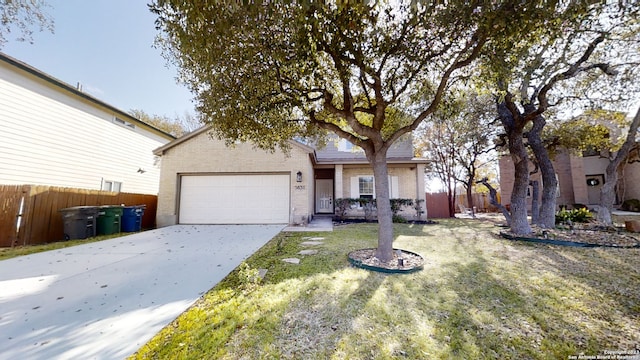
[(580, 179)]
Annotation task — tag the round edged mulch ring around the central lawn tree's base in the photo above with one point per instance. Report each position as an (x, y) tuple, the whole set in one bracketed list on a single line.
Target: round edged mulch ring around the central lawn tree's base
[(403, 261)]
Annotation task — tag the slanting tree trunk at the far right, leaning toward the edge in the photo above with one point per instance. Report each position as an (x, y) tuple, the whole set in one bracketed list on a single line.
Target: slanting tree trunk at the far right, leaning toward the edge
[(607, 192)]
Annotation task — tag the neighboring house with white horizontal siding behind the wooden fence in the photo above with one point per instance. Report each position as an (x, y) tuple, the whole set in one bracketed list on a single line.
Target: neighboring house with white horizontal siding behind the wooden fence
[(54, 134)]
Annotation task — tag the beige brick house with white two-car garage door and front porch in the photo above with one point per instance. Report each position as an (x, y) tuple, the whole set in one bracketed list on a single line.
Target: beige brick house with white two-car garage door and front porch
[(202, 181)]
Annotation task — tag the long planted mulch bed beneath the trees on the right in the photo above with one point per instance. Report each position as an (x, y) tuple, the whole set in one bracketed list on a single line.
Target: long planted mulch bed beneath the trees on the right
[(580, 236)]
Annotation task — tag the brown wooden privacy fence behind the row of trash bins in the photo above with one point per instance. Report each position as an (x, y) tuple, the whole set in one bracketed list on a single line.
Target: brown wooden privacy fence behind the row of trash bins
[(29, 214)]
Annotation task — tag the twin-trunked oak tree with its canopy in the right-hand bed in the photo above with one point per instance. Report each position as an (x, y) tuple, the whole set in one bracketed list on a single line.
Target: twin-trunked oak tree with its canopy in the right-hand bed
[(553, 68)]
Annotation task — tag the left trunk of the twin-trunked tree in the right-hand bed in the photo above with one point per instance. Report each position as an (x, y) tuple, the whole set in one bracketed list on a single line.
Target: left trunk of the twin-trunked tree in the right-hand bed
[(514, 129)]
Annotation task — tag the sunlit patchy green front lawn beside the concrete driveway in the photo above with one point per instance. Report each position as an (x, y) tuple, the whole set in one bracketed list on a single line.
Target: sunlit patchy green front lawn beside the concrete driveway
[(478, 297)]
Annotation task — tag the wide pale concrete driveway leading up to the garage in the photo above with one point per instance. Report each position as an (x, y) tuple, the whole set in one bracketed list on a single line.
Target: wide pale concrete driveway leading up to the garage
[(104, 300)]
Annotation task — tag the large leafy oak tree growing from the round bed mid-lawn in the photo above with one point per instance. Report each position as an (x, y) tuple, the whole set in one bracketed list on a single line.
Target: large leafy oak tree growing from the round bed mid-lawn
[(268, 72)]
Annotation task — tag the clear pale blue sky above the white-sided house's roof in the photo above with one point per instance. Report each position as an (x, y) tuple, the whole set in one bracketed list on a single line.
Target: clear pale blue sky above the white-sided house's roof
[(107, 46)]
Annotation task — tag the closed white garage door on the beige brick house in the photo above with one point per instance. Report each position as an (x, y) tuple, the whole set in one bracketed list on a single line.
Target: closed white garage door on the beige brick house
[(234, 199)]
